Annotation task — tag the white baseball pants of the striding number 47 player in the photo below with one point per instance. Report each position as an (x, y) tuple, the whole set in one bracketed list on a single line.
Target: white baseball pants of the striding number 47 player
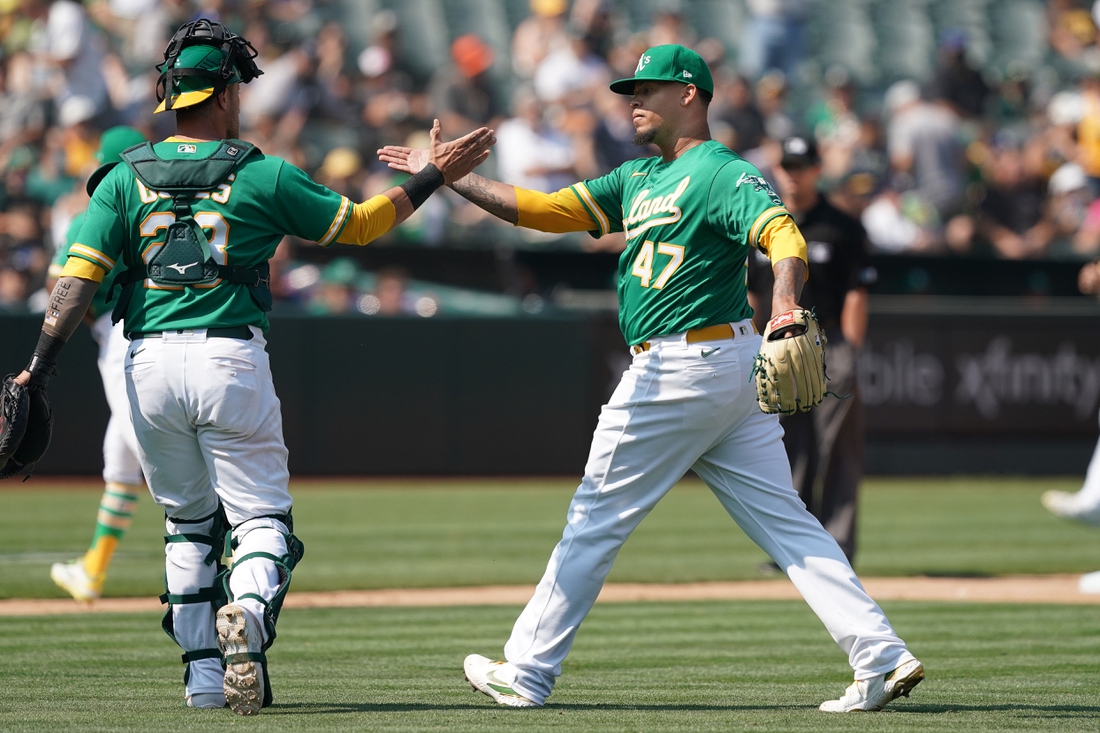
[(685, 407)]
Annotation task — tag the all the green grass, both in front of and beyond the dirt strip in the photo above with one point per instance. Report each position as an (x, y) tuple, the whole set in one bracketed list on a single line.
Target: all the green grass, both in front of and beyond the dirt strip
[(761, 666)]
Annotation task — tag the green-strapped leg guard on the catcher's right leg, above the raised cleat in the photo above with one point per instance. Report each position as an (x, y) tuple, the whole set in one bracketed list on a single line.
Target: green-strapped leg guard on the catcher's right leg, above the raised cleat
[(265, 553)]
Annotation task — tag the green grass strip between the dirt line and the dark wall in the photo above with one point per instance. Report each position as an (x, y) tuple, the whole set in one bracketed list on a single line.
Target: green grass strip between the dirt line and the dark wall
[(428, 534)]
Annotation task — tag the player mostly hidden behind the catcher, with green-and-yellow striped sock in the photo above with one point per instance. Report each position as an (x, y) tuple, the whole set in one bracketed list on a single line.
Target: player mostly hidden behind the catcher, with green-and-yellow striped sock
[(84, 578)]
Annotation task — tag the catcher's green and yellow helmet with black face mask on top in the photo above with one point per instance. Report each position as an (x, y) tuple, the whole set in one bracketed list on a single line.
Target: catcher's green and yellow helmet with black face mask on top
[(202, 60)]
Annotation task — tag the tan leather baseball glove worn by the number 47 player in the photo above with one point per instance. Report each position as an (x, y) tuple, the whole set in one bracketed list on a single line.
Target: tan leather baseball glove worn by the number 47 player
[(790, 373)]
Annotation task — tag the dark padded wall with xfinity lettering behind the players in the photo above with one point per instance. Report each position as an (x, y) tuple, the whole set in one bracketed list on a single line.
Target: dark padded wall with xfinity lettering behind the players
[(951, 386)]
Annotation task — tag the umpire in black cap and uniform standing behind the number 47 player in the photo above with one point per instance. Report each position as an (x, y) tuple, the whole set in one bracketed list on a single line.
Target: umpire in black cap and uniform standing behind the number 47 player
[(826, 446)]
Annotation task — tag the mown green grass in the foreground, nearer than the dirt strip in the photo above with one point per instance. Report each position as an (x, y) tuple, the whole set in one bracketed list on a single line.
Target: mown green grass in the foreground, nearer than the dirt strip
[(761, 666)]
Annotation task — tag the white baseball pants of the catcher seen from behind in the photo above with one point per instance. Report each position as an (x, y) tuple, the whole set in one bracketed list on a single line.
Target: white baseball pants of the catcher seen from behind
[(210, 430)]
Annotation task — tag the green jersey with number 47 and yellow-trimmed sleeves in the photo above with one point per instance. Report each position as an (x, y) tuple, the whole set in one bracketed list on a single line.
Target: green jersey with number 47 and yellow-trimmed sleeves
[(689, 225)]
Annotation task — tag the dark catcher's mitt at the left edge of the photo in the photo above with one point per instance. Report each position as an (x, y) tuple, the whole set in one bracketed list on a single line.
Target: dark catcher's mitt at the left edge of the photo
[(27, 425)]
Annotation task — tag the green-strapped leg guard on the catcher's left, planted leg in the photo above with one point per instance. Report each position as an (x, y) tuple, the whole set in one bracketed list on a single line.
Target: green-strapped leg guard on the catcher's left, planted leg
[(193, 551)]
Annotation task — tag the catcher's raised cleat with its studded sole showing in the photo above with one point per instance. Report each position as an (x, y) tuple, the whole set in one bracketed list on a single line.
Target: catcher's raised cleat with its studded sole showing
[(239, 636)]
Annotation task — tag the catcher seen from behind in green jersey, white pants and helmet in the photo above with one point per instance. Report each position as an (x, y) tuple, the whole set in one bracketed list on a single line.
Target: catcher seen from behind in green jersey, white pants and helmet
[(195, 221)]
